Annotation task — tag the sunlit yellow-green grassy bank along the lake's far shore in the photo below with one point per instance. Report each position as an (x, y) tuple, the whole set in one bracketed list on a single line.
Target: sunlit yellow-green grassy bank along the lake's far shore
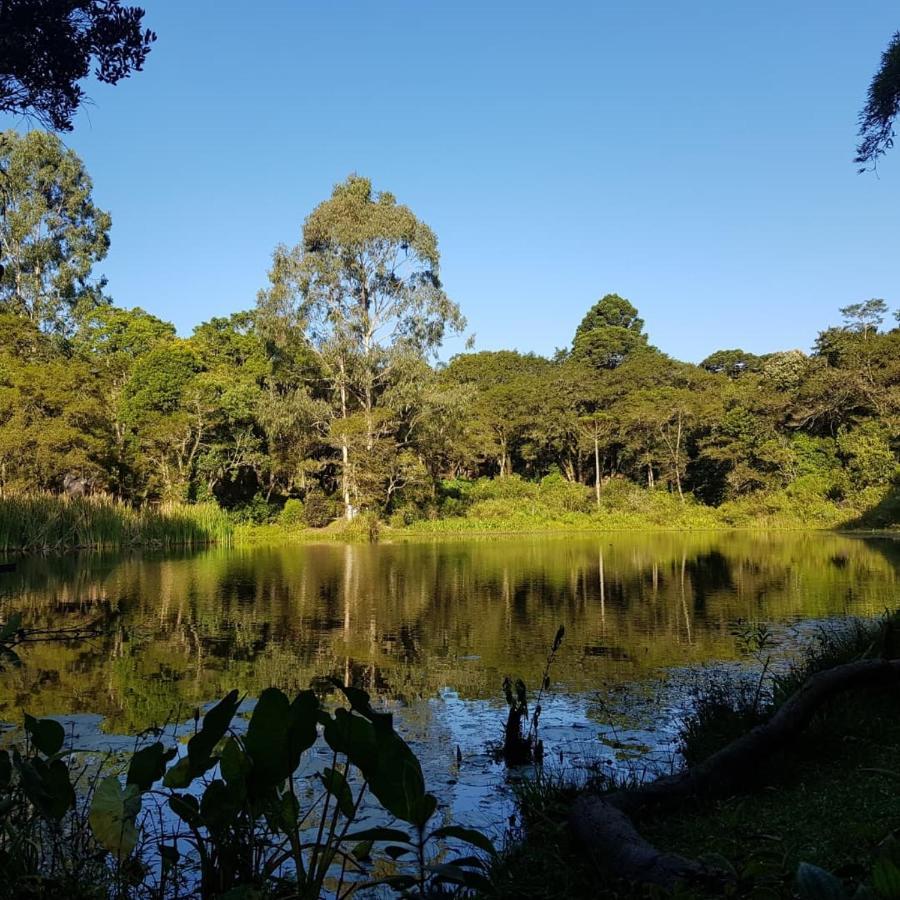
[(515, 506)]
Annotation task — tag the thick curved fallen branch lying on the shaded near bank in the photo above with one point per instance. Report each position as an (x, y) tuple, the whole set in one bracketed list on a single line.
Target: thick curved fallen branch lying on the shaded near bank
[(602, 823)]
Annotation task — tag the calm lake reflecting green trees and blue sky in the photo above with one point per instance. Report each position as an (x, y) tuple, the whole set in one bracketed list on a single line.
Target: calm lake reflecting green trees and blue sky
[(430, 628)]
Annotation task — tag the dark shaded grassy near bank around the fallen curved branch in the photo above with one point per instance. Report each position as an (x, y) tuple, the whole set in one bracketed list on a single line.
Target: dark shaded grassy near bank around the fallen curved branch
[(833, 800)]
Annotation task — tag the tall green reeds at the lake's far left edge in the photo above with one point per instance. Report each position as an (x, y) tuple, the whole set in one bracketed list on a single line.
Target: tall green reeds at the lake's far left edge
[(46, 522)]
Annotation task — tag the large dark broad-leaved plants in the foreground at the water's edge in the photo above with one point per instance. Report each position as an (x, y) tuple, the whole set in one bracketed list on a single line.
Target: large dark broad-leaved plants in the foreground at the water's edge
[(237, 800)]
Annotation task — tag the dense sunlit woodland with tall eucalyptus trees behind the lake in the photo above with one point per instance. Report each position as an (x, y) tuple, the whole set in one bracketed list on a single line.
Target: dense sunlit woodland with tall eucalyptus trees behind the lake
[(328, 393)]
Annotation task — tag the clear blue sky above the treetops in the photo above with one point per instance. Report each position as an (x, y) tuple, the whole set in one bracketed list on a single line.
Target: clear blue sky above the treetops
[(695, 157)]
